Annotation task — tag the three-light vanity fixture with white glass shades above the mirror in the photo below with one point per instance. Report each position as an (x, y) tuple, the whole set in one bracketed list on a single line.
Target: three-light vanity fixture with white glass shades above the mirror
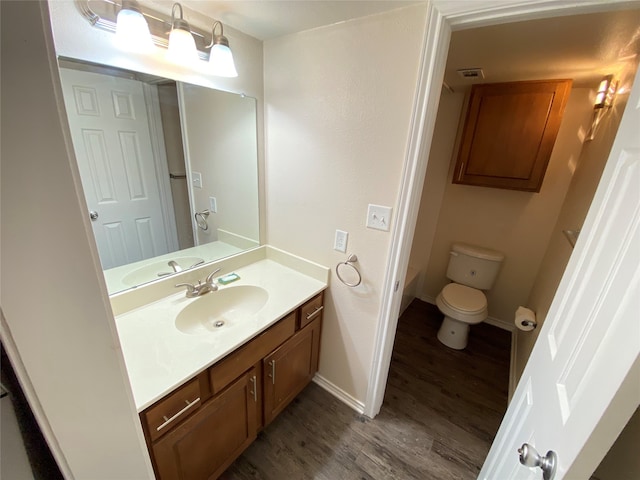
[(190, 42)]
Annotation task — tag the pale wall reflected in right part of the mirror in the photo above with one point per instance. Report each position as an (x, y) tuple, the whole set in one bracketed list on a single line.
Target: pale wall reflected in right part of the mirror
[(222, 148)]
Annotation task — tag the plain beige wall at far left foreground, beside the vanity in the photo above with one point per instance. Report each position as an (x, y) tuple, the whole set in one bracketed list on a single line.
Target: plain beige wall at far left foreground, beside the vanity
[(59, 331)]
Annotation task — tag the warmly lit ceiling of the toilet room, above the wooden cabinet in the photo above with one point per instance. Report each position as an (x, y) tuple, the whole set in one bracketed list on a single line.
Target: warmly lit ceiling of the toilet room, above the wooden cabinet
[(582, 47)]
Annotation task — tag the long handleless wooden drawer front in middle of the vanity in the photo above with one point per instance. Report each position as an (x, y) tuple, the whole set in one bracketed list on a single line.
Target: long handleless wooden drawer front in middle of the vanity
[(238, 362)]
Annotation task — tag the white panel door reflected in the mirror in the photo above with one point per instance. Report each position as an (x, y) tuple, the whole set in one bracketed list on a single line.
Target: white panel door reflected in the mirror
[(110, 131)]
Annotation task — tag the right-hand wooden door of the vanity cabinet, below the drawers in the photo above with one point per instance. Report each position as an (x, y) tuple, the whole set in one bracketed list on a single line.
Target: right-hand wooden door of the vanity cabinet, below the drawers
[(289, 369)]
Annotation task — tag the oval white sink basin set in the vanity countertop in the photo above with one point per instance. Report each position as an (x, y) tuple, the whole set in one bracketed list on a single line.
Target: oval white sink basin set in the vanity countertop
[(218, 311)]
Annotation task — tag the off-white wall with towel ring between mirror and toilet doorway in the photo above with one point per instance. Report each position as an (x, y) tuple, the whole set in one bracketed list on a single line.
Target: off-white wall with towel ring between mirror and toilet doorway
[(338, 103)]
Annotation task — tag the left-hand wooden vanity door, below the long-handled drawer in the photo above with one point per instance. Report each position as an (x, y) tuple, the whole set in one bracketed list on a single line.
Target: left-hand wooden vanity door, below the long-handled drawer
[(204, 445)]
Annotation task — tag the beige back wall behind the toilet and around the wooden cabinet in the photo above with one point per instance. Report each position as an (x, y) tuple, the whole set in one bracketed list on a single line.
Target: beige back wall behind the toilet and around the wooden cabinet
[(519, 224)]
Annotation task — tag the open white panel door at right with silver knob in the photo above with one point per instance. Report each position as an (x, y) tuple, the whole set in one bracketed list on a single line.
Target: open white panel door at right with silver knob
[(591, 336)]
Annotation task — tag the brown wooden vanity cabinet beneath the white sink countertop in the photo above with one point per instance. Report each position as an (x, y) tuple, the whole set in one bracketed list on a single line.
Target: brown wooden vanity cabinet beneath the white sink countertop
[(199, 429)]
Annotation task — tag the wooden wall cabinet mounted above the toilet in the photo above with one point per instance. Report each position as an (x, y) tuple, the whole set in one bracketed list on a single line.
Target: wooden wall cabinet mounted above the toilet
[(509, 133)]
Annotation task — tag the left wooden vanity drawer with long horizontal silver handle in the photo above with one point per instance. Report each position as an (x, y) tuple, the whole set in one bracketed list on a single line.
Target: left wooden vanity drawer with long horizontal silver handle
[(172, 409)]
